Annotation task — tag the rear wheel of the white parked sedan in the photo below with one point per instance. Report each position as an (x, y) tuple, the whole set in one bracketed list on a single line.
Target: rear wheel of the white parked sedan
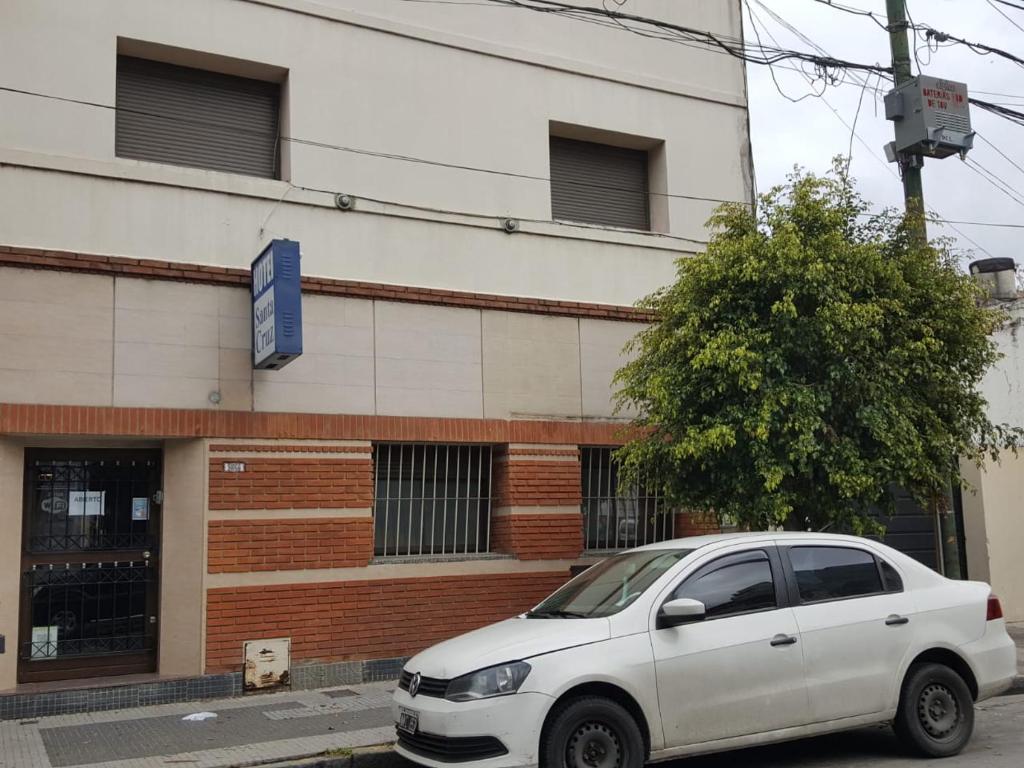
[(936, 711)]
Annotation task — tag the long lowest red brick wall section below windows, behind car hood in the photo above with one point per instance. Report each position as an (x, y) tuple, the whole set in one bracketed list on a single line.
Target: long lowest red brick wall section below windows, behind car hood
[(344, 621)]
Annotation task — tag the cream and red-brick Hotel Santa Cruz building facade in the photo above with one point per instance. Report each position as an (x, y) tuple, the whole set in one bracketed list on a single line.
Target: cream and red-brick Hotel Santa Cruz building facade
[(481, 194)]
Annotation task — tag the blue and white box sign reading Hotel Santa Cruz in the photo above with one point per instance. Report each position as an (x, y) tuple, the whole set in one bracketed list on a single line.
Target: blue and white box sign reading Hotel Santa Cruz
[(277, 306)]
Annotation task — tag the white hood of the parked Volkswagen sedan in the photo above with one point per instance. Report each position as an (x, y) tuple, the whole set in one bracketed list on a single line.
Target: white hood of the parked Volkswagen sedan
[(511, 641)]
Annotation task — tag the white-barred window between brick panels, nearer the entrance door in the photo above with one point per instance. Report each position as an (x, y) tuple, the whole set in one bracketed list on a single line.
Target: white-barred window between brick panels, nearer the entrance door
[(432, 500)]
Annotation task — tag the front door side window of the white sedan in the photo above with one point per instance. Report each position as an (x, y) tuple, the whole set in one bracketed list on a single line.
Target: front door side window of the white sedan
[(736, 584)]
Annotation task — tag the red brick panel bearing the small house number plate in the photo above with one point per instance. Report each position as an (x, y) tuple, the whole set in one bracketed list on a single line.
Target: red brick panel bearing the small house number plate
[(292, 484)]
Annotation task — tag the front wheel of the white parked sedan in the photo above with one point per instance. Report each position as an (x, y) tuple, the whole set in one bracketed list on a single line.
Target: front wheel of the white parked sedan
[(592, 733)]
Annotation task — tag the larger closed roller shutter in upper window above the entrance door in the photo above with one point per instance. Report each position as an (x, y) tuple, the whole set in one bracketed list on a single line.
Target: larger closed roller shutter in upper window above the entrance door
[(182, 116)]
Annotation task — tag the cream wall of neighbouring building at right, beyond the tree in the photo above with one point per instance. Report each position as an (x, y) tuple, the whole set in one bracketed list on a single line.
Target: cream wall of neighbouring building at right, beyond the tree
[(994, 510)]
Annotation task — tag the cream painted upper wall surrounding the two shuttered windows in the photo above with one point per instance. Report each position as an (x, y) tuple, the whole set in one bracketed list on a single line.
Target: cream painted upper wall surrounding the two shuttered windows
[(474, 87)]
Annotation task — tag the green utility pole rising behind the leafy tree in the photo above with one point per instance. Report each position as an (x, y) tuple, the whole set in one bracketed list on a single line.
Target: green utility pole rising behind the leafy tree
[(914, 196)]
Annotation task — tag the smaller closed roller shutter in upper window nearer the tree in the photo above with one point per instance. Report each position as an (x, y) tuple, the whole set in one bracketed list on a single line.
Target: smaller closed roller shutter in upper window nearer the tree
[(600, 185)]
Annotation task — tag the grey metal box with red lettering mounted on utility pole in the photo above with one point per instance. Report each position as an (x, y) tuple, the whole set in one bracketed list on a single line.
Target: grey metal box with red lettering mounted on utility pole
[(932, 117)]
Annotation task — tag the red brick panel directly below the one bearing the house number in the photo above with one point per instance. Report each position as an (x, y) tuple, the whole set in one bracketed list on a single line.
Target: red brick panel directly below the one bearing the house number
[(238, 546)]
